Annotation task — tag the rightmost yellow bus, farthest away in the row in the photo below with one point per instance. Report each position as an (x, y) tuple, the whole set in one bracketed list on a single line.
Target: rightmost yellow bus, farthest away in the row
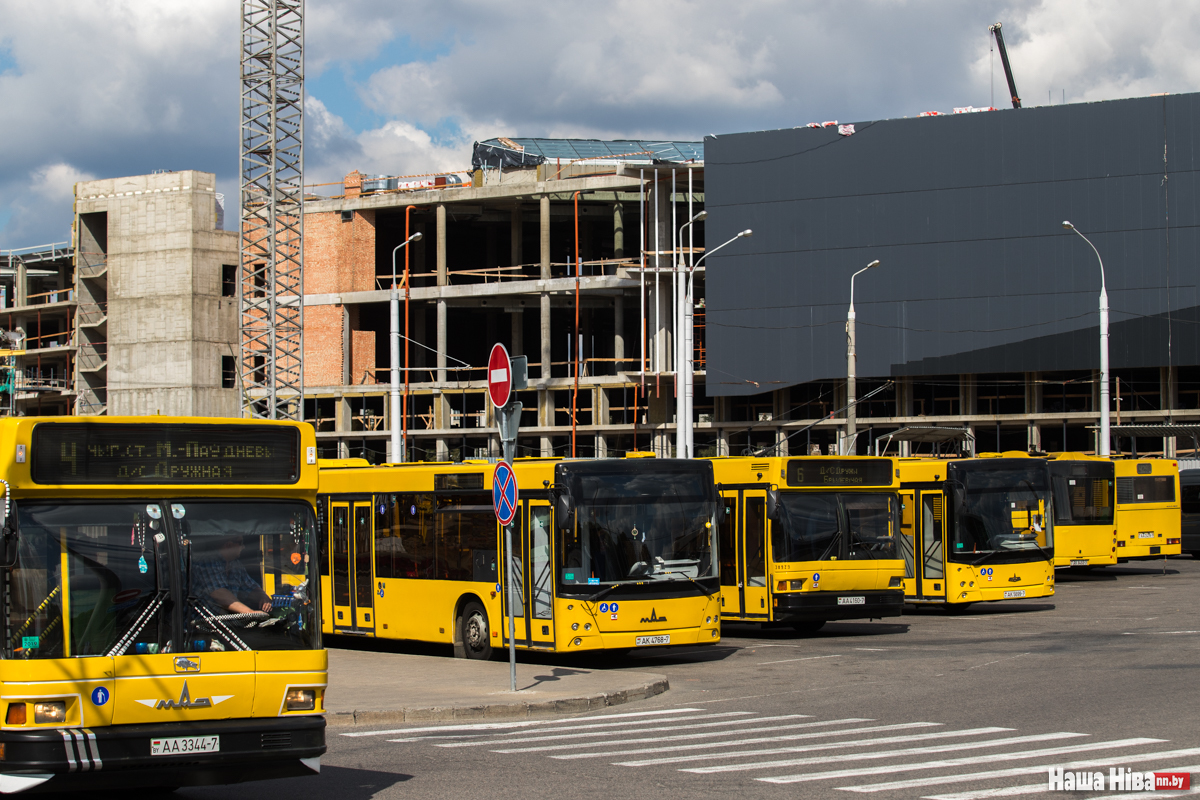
[(1149, 509)]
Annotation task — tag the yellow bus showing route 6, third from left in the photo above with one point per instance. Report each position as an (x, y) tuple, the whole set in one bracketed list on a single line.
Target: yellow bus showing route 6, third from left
[(809, 540)]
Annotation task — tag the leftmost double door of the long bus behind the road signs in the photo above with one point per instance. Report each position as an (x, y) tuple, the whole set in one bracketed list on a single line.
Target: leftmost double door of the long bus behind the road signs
[(351, 549)]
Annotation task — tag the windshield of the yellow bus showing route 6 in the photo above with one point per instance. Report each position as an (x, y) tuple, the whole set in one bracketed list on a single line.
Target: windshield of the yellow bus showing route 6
[(825, 526)]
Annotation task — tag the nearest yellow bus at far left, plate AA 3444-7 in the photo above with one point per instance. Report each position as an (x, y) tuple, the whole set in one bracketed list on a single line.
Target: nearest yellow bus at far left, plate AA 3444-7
[(161, 625)]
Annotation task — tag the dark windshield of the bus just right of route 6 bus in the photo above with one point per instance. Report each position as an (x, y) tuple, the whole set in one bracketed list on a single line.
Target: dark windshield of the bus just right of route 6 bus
[(1000, 512)]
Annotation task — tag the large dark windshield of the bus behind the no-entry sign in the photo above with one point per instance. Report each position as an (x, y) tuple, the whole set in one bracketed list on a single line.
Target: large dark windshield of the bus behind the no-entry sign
[(637, 525)]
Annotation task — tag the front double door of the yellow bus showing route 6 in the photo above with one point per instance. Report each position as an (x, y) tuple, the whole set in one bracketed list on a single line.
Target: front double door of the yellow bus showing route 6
[(743, 554)]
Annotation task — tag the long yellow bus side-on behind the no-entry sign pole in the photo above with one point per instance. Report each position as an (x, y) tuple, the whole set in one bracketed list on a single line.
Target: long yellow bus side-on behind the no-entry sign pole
[(609, 555)]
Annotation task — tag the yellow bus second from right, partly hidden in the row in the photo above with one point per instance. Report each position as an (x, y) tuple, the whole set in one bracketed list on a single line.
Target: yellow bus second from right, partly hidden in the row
[(1084, 510)]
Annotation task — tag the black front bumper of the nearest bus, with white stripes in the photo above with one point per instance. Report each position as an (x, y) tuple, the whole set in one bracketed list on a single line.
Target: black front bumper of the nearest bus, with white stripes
[(63, 760)]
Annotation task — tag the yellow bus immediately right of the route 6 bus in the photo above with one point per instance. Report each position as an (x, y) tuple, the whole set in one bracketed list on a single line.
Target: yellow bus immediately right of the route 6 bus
[(976, 530)]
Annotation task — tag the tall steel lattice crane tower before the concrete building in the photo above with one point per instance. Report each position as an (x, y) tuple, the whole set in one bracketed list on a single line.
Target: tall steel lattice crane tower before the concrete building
[(272, 270)]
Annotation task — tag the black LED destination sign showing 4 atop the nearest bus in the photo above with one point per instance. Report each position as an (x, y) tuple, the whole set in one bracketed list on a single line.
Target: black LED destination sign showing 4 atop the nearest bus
[(165, 454)]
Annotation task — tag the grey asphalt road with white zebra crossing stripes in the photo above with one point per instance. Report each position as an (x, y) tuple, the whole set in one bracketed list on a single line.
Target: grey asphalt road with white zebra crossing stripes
[(926, 706)]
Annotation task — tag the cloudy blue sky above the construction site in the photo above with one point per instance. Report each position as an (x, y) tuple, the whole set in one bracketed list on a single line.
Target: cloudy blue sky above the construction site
[(400, 87)]
